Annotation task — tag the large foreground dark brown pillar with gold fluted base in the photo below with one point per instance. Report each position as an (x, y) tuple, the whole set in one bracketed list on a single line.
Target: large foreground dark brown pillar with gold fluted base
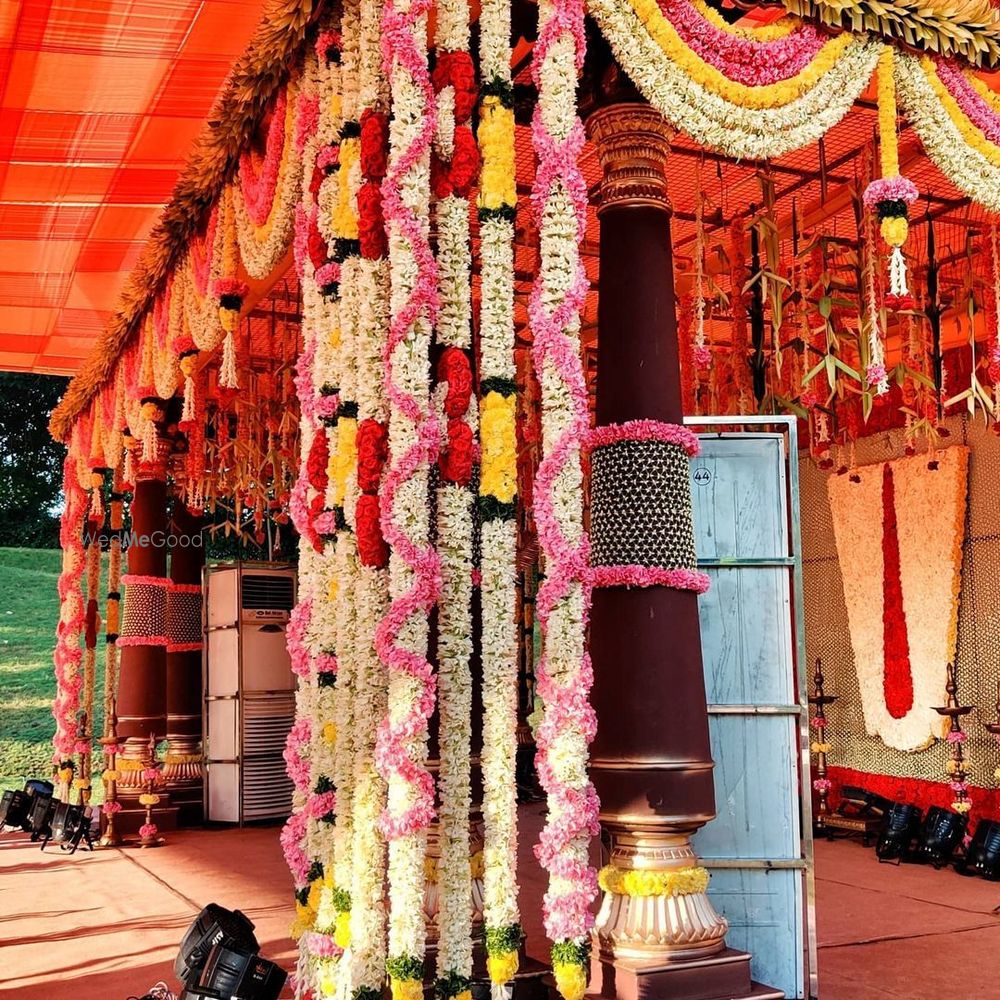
[(650, 761)]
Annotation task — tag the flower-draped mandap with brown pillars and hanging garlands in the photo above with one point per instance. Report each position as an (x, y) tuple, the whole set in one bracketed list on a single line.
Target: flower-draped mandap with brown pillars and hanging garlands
[(434, 274)]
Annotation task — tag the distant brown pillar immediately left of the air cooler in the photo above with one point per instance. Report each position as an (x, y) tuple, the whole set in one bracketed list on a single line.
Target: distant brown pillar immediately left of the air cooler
[(182, 770)]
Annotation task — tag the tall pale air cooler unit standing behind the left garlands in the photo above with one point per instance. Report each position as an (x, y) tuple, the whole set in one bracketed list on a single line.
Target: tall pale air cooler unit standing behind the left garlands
[(249, 691)]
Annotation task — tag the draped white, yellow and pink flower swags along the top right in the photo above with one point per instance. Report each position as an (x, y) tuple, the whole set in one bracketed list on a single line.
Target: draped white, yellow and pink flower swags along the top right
[(762, 92)]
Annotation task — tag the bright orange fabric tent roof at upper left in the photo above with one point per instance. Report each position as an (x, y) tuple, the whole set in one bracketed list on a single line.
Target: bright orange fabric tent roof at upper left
[(100, 103)]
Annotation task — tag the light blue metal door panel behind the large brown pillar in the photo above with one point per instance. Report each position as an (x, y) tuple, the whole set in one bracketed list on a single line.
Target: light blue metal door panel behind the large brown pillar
[(754, 848)]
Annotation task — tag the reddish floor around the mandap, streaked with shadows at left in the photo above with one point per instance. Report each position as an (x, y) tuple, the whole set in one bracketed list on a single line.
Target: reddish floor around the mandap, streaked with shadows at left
[(106, 926)]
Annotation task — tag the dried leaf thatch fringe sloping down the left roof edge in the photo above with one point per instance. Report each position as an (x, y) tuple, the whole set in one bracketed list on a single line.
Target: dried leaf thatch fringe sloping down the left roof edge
[(274, 50)]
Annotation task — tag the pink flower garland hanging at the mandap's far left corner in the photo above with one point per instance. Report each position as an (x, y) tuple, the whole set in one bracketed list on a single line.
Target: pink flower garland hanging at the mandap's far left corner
[(67, 655)]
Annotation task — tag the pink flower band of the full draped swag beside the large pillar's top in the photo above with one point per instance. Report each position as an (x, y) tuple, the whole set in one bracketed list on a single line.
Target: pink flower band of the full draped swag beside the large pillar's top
[(744, 60)]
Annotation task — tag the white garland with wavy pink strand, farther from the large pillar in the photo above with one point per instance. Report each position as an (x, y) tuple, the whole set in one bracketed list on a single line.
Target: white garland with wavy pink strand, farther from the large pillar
[(414, 573)]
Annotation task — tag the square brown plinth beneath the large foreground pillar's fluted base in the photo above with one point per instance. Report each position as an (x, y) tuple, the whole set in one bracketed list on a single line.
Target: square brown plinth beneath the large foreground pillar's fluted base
[(724, 976)]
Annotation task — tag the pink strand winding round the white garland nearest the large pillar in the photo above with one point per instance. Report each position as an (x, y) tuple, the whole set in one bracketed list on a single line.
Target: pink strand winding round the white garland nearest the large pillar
[(566, 910)]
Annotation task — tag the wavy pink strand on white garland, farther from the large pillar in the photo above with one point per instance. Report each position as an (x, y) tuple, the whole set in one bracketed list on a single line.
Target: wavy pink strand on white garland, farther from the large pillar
[(400, 48)]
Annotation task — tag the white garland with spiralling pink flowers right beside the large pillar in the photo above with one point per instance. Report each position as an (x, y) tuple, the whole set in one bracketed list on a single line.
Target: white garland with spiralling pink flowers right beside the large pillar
[(564, 671)]
